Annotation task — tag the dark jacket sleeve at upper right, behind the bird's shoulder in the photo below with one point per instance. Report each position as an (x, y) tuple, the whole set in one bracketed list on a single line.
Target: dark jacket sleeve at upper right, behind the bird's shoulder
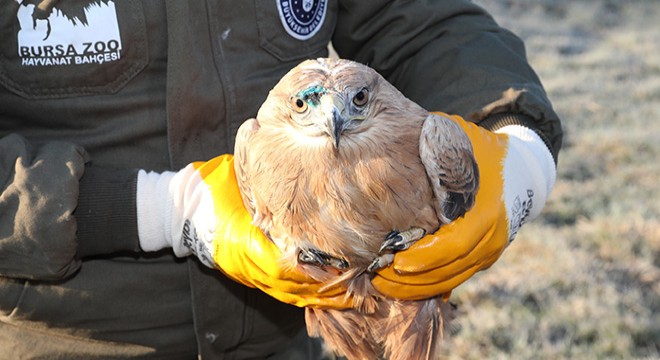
[(449, 56)]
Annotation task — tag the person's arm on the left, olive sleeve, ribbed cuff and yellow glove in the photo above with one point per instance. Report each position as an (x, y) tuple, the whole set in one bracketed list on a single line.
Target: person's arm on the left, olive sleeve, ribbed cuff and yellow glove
[(56, 210)]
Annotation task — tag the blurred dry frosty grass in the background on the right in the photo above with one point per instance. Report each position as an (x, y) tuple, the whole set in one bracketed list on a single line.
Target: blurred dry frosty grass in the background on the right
[(583, 281)]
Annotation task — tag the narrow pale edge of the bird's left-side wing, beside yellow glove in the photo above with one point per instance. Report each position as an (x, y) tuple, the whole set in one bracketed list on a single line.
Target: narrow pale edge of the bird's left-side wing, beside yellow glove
[(242, 162)]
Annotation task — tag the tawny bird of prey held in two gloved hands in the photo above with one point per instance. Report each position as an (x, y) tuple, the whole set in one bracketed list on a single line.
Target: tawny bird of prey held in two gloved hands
[(340, 171)]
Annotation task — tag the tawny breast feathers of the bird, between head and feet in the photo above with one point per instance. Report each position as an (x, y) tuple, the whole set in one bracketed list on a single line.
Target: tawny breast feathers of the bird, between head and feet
[(327, 197)]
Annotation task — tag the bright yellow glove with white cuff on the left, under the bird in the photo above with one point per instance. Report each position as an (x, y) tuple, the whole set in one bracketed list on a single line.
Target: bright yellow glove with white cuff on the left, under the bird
[(199, 210)]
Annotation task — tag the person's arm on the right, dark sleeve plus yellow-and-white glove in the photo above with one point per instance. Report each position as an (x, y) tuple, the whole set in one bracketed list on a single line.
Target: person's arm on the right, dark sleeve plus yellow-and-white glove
[(451, 56)]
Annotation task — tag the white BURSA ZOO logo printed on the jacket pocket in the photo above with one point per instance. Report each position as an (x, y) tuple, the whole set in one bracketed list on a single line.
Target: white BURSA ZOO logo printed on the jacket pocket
[(61, 40)]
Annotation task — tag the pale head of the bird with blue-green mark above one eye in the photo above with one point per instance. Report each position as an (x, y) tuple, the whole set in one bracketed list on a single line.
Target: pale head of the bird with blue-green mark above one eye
[(327, 100)]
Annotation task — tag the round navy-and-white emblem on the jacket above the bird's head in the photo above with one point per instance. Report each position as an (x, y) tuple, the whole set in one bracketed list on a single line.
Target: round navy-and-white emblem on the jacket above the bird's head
[(302, 19)]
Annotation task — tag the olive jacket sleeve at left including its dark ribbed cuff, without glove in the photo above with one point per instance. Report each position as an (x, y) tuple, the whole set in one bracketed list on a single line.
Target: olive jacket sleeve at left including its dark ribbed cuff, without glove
[(40, 190)]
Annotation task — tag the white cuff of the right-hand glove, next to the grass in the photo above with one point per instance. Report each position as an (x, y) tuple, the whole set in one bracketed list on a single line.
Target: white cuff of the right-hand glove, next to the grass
[(529, 175)]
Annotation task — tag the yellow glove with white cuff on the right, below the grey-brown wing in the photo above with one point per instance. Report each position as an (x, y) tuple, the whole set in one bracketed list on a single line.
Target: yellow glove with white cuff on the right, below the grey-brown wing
[(517, 173)]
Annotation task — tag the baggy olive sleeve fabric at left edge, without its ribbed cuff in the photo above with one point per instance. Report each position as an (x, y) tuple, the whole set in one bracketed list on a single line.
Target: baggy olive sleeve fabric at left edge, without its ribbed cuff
[(38, 194)]
